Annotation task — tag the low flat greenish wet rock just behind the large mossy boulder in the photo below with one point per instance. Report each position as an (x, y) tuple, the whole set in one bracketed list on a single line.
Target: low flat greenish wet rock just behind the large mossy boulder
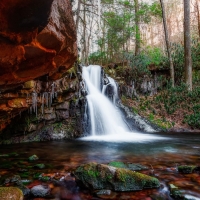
[(130, 166)]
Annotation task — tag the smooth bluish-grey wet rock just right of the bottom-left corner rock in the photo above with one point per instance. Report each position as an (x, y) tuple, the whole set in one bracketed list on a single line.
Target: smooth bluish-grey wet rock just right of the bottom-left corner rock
[(40, 190)]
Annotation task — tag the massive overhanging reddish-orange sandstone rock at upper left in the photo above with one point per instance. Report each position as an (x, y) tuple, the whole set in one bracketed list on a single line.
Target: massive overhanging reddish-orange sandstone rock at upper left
[(37, 37)]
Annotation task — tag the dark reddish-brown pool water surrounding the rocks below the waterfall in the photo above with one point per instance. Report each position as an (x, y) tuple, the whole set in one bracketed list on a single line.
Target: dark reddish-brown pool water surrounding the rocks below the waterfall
[(162, 153)]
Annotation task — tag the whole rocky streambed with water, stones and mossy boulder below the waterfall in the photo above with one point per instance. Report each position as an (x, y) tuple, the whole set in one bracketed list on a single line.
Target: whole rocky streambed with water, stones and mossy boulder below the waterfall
[(164, 169)]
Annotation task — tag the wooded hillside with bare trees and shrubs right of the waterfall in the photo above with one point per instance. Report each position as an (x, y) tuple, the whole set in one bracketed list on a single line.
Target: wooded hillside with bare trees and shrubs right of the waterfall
[(152, 49)]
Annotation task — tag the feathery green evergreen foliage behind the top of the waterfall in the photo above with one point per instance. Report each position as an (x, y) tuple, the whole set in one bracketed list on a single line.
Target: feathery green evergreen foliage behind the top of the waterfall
[(119, 26)]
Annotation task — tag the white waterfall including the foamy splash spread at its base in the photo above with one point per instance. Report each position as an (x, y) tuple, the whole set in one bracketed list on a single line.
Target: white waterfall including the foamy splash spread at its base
[(106, 121)]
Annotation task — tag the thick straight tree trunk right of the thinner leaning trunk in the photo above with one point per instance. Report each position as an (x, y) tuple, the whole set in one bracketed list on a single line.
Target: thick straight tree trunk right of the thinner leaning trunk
[(187, 45)]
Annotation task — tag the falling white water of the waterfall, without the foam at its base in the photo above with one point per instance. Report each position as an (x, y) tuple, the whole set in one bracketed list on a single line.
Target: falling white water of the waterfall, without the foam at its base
[(105, 118)]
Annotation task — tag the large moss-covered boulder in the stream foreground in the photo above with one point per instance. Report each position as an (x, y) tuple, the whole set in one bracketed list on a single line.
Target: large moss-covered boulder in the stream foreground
[(99, 176)]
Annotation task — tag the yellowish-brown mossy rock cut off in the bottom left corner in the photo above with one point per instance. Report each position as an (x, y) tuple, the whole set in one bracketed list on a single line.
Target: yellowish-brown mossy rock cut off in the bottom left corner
[(10, 193)]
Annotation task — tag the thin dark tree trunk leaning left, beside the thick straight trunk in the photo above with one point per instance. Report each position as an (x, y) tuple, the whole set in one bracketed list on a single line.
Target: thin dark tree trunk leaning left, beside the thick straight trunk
[(167, 43)]
